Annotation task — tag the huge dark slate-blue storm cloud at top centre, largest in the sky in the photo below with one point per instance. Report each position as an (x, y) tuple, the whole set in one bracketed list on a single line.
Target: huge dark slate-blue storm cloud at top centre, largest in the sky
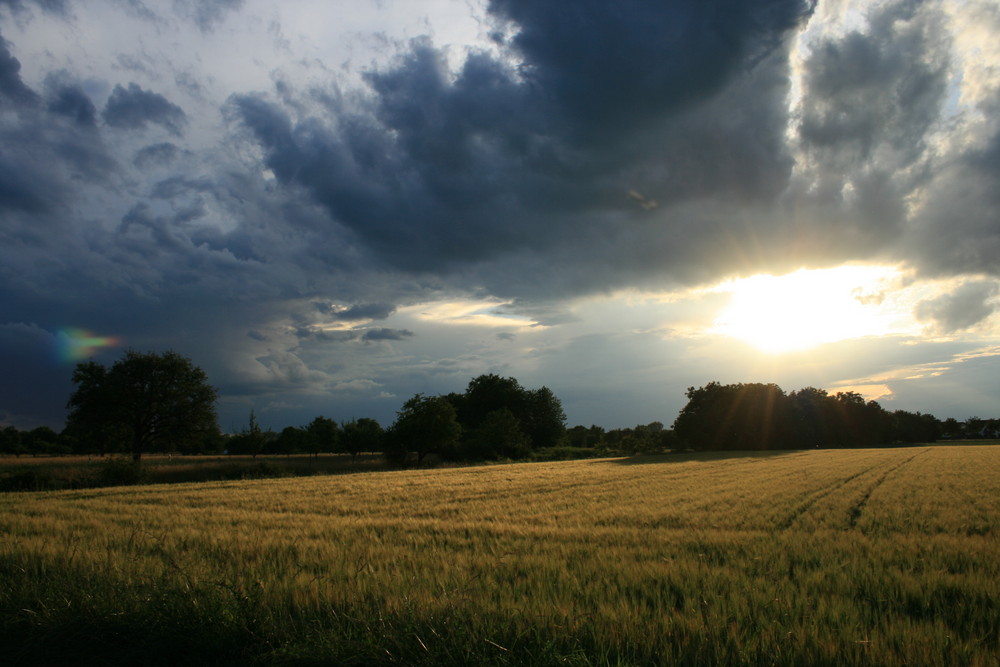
[(533, 161)]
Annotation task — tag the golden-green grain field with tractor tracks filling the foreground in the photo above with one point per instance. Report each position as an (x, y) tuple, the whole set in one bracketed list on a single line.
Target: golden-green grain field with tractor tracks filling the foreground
[(882, 557)]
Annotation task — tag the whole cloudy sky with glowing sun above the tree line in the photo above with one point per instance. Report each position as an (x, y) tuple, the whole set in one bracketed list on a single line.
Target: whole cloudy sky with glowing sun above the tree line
[(331, 206)]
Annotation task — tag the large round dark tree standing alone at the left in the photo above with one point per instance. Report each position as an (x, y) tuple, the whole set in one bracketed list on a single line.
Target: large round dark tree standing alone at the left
[(148, 400)]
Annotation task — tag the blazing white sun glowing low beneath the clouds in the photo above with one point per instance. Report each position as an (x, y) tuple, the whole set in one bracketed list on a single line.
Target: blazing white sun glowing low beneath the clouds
[(807, 308)]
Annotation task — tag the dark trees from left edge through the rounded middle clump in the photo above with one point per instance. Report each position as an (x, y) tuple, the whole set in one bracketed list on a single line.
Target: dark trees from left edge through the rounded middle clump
[(150, 402)]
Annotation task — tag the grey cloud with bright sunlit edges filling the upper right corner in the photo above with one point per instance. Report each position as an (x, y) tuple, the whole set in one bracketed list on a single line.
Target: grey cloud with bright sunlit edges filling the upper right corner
[(873, 110)]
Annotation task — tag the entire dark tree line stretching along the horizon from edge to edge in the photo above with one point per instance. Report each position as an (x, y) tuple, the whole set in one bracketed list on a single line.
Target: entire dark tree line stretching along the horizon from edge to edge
[(149, 402)]
